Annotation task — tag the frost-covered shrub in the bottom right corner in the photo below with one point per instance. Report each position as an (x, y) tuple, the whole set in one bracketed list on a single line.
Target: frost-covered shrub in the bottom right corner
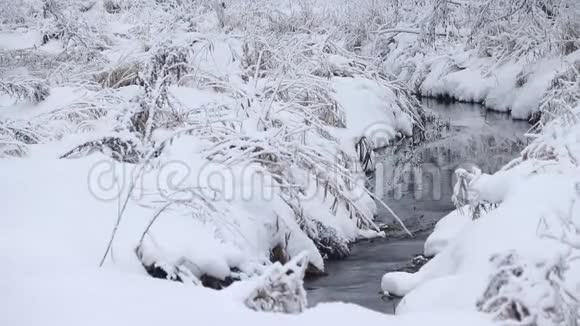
[(524, 293)]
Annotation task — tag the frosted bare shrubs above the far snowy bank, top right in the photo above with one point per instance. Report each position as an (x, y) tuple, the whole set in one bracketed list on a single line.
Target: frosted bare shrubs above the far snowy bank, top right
[(503, 29)]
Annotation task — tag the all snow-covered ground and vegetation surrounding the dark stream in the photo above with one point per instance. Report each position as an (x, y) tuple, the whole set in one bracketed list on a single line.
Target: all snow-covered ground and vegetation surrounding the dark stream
[(211, 142)]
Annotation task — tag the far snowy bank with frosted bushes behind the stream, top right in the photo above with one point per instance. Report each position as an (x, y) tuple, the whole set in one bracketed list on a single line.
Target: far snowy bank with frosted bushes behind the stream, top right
[(503, 54)]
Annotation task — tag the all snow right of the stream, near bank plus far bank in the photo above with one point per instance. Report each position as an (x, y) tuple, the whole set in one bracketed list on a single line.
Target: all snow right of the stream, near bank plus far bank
[(534, 194)]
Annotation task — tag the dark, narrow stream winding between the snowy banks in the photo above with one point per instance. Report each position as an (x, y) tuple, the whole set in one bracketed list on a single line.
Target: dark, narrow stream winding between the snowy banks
[(417, 183)]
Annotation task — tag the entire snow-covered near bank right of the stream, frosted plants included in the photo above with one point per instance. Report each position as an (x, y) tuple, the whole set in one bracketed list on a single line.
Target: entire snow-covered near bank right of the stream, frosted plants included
[(536, 197)]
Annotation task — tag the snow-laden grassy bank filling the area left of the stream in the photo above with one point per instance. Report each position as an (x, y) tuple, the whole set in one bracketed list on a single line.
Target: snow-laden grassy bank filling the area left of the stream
[(241, 169)]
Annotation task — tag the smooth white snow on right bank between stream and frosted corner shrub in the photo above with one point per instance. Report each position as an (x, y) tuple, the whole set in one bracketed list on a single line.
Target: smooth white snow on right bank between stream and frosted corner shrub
[(464, 248)]
